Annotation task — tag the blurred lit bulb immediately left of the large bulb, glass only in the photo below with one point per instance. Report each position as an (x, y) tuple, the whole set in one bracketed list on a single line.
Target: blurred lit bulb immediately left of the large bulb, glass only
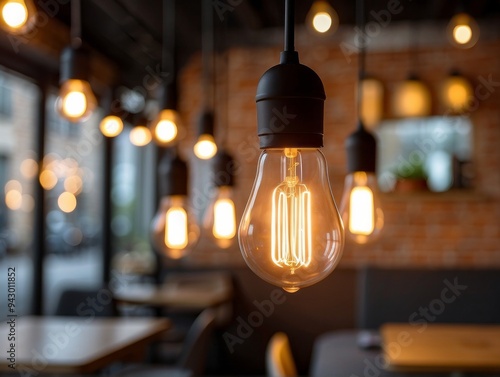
[(220, 218)]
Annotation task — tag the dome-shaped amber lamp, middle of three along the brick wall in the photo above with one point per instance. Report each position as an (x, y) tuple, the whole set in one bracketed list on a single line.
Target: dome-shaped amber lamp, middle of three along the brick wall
[(411, 99)]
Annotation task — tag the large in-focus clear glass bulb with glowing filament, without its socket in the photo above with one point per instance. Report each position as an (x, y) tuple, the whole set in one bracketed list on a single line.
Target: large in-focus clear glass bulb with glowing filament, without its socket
[(291, 233)]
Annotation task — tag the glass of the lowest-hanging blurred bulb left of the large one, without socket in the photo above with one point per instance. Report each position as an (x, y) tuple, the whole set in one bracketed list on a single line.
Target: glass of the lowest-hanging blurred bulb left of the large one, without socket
[(174, 230)]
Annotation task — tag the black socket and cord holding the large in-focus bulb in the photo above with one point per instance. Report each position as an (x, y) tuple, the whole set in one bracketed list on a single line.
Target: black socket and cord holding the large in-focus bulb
[(290, 99)]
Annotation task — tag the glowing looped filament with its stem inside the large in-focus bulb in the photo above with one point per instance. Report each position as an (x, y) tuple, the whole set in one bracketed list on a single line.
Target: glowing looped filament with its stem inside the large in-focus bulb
[(291, 219)]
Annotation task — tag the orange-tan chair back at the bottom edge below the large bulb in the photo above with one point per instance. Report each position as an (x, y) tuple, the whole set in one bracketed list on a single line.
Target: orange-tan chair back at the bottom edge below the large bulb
[(279, 358)]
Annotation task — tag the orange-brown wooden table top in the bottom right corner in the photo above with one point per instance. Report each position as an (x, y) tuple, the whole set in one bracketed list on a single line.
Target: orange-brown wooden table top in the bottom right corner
[(441, 347)]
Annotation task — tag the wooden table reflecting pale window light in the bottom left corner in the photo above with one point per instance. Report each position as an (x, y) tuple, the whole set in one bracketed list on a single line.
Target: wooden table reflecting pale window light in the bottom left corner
[(72, 345)]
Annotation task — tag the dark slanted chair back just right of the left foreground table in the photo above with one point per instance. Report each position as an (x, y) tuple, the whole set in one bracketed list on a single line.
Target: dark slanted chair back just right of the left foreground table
[(196, 345)]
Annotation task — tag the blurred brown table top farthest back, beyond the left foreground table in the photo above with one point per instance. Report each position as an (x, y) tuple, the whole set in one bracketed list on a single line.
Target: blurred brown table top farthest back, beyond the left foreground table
[(187, 291)]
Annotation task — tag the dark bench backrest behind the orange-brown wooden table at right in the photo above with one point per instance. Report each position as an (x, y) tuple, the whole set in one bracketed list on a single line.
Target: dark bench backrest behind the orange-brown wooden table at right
[(430, 295)]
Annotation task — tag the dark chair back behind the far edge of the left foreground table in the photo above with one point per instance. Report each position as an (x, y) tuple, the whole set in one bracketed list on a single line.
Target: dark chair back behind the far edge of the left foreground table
[(75, 302)]
